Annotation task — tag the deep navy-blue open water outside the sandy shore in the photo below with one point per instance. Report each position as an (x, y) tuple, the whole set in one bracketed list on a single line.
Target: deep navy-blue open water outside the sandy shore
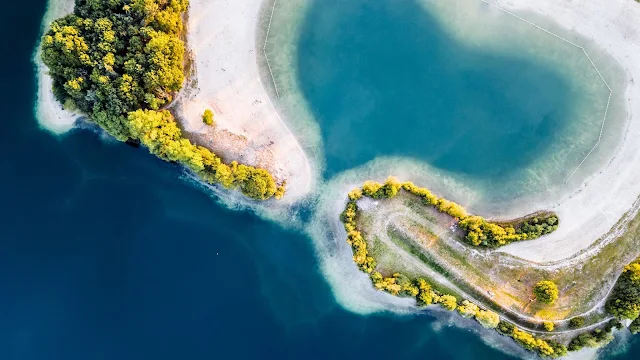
[(105, 253)]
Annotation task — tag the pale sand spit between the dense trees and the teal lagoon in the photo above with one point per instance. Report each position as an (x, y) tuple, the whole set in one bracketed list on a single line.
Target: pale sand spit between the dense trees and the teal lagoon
[(226, 50)]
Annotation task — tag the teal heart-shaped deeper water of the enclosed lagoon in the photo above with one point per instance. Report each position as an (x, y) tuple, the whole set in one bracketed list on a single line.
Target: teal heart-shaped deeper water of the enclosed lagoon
[(384, 78)]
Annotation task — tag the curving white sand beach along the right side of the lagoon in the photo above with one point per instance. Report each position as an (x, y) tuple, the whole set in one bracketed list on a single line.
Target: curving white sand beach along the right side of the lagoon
[(596, 207)]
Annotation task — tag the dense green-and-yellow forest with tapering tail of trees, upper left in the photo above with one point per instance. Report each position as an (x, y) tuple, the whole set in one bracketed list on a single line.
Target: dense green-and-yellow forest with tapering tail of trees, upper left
[(120, 62)]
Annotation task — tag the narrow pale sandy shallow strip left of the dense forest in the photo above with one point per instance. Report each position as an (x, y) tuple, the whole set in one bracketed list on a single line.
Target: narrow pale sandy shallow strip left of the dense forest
[(49, 112)]
